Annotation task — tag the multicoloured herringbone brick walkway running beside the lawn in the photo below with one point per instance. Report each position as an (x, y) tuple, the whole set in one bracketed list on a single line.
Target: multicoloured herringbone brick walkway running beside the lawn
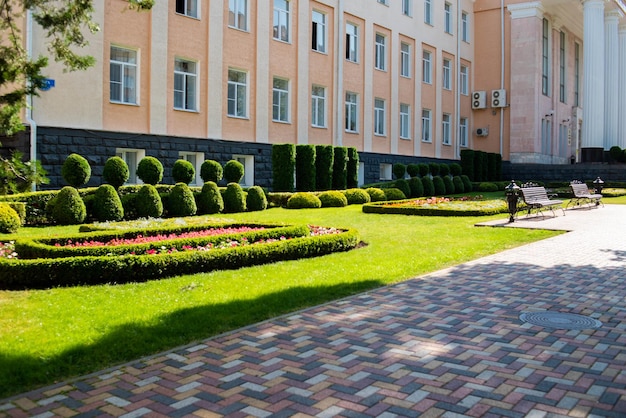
[(448, 344)]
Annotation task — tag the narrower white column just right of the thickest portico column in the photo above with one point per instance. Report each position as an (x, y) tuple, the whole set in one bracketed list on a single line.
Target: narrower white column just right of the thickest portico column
[(611, 78)]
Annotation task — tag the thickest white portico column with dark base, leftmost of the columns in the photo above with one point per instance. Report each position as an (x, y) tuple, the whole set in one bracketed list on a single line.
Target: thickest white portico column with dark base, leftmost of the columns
[(593, 79)]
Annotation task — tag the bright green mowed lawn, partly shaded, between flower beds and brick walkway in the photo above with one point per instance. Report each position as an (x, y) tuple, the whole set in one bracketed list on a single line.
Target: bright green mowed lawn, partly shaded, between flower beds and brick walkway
[(47, 336)]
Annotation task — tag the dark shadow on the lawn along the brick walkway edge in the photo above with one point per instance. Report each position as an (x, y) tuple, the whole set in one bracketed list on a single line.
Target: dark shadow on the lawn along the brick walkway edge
[(19, 373)]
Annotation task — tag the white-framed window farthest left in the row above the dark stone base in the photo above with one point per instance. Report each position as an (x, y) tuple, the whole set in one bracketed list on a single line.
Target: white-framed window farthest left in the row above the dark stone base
[(127, 67)]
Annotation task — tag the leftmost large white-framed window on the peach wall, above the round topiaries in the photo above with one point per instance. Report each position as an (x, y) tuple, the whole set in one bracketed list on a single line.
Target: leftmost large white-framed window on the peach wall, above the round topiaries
[(123, 69)]
